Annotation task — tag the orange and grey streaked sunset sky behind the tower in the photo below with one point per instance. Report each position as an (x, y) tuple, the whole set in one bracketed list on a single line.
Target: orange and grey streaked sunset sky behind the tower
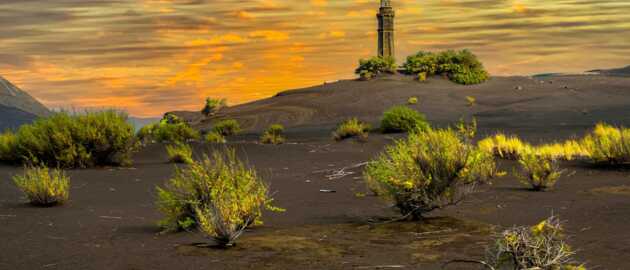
[(152, 56)]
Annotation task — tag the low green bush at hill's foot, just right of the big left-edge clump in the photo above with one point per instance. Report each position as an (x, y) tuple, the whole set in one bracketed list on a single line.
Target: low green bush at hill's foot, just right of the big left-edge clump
[(170, 129)]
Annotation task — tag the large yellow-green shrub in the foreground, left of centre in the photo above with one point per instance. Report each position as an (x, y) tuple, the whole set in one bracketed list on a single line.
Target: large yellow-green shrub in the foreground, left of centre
[(220, 196)]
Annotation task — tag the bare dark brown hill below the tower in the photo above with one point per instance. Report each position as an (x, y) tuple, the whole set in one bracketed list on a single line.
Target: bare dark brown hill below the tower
[(570, 103)]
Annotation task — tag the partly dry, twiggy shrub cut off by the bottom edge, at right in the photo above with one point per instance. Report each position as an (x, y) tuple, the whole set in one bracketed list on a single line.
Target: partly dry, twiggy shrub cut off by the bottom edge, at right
[(541, 246)]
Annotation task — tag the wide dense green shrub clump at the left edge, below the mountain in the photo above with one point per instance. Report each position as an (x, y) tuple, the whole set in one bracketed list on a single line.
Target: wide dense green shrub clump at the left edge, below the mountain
[(65, 140)]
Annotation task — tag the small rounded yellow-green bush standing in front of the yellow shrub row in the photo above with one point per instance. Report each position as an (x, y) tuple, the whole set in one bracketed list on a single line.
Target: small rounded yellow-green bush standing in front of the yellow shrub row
[(540, 172)]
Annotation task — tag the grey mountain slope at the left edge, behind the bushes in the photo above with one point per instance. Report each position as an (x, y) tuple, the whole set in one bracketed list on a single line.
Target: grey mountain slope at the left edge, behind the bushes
[(18, 107)]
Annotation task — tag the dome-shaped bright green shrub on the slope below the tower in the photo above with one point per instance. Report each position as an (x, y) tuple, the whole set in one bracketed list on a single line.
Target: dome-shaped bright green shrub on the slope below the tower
[(403, 119)]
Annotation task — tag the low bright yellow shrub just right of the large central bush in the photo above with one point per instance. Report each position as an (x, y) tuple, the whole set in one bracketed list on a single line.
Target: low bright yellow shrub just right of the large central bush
[(504, 147)]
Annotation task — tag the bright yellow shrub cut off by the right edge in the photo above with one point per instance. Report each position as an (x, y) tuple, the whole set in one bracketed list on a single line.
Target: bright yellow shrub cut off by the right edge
[(607, 144)]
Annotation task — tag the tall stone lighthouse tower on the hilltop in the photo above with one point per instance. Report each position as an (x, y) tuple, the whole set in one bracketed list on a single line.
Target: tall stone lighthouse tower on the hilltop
[(386, 29)]
